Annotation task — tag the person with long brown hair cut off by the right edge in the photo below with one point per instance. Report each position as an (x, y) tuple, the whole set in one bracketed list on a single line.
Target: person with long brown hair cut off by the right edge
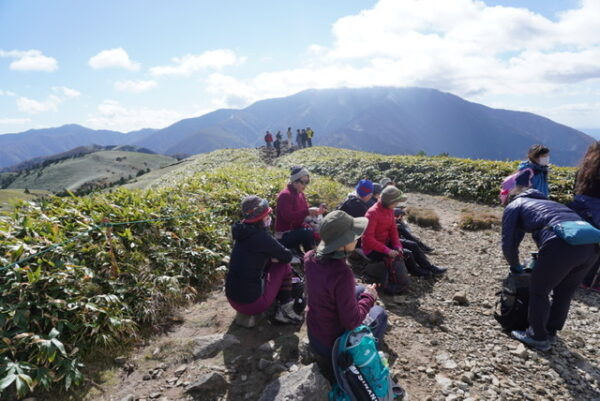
[(587, 203)]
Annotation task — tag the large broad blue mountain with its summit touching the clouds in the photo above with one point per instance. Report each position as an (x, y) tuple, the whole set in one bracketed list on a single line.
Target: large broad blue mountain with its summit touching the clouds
[(383, 120)]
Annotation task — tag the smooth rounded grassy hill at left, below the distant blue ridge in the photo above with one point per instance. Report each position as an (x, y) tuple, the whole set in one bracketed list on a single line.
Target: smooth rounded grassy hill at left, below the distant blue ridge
[(93, 170)]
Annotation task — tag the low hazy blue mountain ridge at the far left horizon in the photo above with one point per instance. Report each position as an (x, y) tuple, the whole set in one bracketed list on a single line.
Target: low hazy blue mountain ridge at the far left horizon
[(17, 148)]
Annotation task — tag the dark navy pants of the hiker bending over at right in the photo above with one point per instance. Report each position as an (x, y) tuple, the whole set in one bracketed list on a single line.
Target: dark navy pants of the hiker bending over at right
[(560, 268)]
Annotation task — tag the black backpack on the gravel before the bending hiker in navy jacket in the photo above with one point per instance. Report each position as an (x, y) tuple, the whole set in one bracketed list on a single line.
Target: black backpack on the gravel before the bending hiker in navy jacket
[(513, 302)]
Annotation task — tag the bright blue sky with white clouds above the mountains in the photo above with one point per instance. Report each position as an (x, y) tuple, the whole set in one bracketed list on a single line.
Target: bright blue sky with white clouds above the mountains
[(126, 65)]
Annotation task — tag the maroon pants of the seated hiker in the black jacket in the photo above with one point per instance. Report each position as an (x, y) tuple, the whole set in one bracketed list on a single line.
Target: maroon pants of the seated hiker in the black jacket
[(277, 279)]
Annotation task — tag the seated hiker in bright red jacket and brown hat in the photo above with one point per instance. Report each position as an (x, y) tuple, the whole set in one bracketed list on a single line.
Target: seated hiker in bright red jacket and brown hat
[(381, 243)]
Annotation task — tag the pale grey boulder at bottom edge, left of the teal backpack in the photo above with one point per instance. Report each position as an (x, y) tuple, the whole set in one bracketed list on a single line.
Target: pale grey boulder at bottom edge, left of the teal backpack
[(306, 383)]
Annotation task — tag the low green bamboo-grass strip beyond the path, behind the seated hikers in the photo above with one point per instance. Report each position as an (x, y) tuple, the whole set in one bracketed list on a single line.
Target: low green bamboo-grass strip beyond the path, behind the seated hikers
[(464, 179)]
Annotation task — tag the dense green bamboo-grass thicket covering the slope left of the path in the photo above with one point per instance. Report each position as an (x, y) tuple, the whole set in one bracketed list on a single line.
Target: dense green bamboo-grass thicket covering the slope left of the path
[(104, 288)]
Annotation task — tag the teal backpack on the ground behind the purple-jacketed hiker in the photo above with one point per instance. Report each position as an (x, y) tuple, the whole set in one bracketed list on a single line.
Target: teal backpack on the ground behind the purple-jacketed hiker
[(361, 372)]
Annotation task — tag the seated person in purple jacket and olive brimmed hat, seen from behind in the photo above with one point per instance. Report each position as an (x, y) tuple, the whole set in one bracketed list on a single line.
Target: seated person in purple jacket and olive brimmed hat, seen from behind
[(335, 303)]
